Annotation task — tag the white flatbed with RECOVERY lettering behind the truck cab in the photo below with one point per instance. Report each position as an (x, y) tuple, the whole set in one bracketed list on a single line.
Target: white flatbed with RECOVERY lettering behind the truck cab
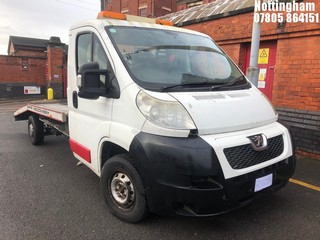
[(56, 110)]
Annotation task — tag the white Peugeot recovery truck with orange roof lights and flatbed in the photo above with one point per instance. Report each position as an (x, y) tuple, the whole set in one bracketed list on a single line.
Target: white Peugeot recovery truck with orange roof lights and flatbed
[(166, 120)]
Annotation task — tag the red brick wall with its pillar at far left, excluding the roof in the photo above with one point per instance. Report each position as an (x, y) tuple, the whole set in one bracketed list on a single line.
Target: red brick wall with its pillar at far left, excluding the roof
[(16, 72)]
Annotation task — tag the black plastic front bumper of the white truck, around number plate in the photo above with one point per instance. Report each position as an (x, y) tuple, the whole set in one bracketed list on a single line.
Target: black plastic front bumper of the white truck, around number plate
[(184, 176)]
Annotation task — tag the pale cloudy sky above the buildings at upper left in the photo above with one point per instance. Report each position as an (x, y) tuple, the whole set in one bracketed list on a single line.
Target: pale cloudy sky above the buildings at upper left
[(42, 18)]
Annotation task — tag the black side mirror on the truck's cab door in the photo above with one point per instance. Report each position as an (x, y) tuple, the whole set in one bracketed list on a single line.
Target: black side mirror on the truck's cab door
[(94, 82)]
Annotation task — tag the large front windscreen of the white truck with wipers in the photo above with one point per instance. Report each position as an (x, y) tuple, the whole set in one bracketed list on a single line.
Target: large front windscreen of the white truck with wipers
[(162, 59)]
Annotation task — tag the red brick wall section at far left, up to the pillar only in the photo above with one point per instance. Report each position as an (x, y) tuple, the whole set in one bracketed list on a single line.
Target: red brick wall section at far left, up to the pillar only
[(13, 77)]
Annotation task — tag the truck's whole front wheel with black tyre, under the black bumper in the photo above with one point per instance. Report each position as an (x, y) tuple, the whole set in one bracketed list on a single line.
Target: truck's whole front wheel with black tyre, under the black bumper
[(122, 189)]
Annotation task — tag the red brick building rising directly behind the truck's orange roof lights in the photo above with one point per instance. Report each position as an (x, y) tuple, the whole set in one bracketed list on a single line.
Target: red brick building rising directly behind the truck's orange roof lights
[(144, 8)]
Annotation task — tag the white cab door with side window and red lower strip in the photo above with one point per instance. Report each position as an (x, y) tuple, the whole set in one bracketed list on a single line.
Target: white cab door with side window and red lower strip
[(89, 119)]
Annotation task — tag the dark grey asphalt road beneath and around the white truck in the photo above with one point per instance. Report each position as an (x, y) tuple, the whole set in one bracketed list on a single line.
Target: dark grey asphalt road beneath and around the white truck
[(44, 195)]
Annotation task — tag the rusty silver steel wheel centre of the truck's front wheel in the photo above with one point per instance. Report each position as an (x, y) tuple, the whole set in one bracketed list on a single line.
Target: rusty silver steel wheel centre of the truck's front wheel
[(122, 190)]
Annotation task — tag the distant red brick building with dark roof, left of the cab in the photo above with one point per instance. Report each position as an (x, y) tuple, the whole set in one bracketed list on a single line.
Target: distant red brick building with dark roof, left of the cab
[(31, 66)]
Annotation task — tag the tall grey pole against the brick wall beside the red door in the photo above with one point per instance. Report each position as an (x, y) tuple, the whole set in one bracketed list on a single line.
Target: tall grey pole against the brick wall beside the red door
[(253, 70)]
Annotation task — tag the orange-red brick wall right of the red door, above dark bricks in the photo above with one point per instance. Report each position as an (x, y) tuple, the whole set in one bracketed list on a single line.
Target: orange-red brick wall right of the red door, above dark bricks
[(297, 73)]
